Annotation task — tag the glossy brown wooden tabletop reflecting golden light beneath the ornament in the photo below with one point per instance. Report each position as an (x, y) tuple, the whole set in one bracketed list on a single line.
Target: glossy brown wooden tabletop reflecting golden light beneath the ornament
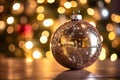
[(45, 69)]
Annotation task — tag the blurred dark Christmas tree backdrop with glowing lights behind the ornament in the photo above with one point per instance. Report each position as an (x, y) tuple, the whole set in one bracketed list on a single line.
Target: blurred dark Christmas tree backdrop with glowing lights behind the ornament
[(26, 26)]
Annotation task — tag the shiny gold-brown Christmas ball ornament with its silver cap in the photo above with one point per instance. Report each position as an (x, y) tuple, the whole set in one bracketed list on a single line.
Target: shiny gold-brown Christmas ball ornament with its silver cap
[(76, 44)]
